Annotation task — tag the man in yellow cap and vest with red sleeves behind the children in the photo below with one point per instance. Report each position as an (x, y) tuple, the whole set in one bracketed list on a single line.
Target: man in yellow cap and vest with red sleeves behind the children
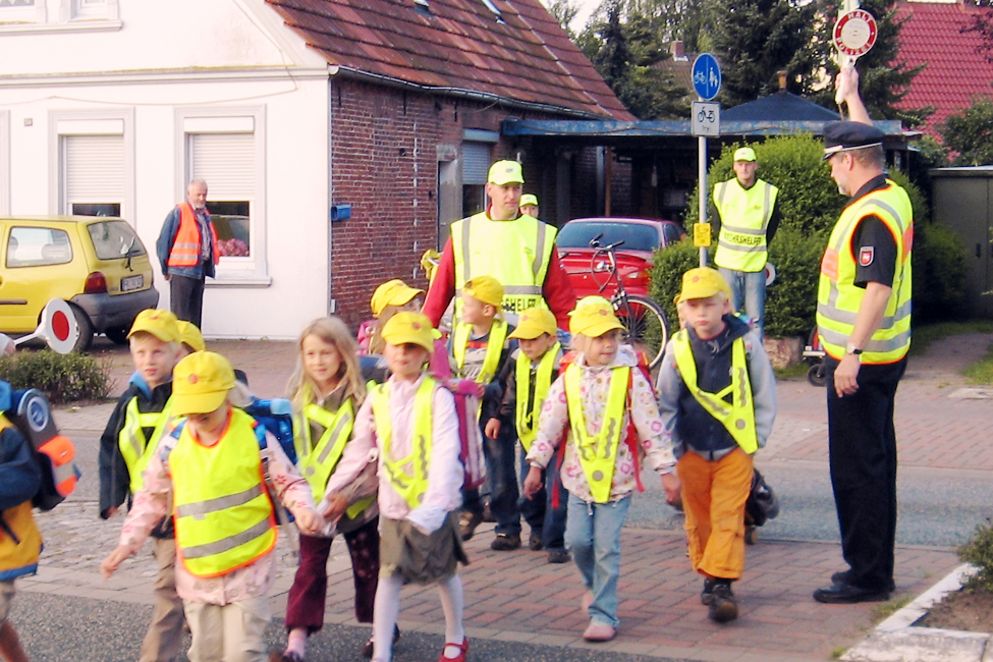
[(516, 249)]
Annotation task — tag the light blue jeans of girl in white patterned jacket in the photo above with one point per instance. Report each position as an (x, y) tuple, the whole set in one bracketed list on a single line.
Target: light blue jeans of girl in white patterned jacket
[(593, 535)]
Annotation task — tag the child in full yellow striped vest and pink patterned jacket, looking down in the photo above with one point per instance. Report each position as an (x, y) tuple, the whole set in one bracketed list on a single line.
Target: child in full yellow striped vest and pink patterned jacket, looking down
[(217, 473)]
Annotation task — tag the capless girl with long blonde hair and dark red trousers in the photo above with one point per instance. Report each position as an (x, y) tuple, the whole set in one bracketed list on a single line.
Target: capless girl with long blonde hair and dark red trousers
[(326, 390)]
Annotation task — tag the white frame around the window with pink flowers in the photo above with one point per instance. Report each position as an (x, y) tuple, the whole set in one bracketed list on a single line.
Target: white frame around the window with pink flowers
[(236, 271)]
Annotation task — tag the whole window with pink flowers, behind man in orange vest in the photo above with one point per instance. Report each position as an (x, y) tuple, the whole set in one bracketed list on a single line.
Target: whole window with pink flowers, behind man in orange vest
[(226, 150)]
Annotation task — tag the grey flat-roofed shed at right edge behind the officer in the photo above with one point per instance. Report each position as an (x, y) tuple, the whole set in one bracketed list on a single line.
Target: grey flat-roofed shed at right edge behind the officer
[(963, 202)]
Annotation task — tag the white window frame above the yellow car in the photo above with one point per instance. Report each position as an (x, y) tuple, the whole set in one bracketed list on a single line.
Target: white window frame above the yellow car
[(65, 123)]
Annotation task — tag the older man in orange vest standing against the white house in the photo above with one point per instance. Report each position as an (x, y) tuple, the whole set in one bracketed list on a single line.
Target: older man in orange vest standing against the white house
[(187, 250)]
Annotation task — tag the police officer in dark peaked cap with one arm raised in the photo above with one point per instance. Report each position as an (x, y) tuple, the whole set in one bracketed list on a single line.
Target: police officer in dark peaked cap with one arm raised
[(863, 320)]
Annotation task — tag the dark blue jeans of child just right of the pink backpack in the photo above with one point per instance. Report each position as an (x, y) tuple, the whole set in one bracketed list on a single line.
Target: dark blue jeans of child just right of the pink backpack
[(501, 475)]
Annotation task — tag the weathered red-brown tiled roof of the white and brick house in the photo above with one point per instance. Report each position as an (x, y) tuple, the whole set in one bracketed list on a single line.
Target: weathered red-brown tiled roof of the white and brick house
[(459, 45)]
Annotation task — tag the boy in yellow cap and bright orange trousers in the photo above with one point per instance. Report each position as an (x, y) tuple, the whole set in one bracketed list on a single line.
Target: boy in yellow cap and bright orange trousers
[(718, 398)]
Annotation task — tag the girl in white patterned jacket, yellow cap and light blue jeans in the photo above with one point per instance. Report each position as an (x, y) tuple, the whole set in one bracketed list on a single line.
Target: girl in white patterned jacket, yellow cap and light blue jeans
[(603, 407)]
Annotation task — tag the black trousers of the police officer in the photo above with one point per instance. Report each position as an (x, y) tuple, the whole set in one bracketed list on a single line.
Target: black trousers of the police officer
[(862, 444)]
